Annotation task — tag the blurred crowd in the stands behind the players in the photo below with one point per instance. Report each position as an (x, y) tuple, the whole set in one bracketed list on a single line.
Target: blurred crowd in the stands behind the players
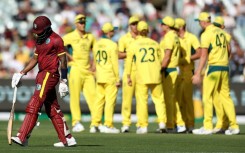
[(16, 17)]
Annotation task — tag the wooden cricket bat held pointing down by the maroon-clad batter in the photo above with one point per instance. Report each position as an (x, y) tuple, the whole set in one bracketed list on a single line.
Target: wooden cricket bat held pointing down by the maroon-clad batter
[(11, 118)]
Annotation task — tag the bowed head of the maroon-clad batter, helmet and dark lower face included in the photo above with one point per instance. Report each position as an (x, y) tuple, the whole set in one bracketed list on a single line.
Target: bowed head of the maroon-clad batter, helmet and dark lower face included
[(41, 29)]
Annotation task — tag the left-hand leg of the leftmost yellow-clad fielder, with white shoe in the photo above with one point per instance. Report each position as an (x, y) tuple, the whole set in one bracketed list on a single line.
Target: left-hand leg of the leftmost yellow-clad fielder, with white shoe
[(75, 85)]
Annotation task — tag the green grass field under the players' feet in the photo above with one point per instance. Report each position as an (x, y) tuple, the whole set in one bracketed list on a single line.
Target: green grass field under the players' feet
[(44, 136)]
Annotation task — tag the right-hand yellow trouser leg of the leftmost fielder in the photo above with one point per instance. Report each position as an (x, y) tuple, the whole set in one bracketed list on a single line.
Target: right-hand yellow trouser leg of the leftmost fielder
[(89, 92)]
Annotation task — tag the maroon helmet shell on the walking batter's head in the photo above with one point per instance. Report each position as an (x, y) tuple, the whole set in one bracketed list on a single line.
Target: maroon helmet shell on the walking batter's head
[(40, 24)]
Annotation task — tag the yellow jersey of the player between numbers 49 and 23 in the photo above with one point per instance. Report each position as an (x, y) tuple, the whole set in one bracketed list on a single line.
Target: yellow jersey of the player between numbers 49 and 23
[(123, 45)]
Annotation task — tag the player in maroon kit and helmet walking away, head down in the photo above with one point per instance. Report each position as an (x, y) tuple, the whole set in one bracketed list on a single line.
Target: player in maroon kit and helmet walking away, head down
[(49, 52)]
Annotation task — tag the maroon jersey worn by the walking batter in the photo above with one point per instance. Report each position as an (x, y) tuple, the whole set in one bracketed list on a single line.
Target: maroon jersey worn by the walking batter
[(48, 53)]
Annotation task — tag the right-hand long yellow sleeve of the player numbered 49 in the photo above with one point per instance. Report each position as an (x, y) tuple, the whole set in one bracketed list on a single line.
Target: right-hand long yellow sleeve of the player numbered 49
[(114, 61)]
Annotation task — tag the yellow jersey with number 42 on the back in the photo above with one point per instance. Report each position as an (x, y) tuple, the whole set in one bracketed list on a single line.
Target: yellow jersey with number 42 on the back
[(214, 39)]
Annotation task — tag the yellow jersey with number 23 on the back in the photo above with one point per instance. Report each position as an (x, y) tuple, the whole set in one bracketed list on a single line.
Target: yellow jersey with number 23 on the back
[(146, 53)]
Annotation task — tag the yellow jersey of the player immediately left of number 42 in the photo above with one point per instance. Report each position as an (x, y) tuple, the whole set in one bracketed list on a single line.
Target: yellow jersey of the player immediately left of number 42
[(188, 46)]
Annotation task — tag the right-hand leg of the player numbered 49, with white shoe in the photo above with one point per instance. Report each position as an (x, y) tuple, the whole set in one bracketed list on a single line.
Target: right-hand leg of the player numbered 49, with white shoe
[(110, 98)]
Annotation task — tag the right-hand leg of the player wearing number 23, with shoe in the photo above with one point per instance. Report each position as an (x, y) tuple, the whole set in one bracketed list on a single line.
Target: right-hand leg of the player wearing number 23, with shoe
[(160, 107)]
